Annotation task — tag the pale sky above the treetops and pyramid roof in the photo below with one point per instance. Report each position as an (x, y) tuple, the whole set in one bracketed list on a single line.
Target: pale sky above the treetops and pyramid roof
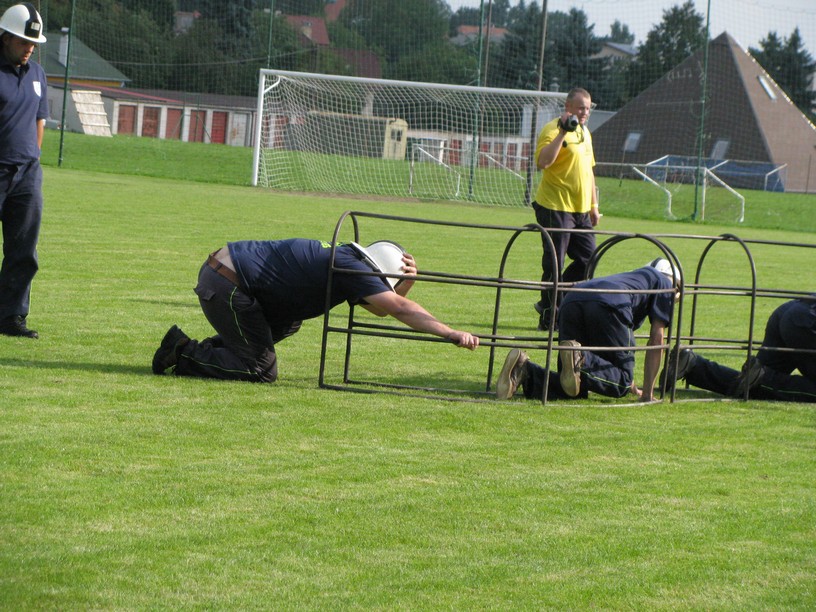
[(748, 21)]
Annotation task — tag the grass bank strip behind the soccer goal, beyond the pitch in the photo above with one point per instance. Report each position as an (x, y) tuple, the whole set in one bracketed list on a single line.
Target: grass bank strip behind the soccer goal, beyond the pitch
[(198, 162)]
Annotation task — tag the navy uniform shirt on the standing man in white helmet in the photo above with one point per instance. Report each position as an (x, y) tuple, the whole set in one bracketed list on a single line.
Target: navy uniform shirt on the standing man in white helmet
[(23, 101)]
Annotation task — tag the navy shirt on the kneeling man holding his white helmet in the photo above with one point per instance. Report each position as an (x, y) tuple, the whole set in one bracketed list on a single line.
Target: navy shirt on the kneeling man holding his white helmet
[(289, 277)]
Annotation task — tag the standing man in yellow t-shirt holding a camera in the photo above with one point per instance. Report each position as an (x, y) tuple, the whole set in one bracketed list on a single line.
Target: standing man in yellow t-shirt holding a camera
[(566, 197)]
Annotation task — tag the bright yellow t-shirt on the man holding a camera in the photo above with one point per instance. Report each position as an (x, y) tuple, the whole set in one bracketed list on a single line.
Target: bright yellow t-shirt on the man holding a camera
[(567, 184)]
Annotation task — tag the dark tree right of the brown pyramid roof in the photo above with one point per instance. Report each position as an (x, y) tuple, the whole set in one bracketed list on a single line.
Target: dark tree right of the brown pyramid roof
[(791, 66)]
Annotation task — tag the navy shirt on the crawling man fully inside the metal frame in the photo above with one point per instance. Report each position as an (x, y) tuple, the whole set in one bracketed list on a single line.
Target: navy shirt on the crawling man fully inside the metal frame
[(634, 307)]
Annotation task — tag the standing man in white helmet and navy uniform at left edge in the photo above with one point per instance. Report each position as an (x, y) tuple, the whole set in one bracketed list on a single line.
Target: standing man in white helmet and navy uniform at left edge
[(23, 111)]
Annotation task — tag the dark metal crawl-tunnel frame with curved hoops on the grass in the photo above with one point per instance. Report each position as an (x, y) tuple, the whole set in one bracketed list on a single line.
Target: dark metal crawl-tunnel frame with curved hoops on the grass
[(501, 283)]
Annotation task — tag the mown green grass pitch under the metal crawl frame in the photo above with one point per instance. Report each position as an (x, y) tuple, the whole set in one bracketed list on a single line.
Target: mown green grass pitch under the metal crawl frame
[(121, 489)]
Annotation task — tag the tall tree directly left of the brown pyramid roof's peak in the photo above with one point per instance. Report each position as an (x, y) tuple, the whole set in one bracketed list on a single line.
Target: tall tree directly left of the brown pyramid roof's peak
[(680, 34)]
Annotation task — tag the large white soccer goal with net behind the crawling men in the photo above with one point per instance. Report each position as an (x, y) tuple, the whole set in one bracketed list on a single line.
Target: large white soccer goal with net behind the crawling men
[(353, 135)]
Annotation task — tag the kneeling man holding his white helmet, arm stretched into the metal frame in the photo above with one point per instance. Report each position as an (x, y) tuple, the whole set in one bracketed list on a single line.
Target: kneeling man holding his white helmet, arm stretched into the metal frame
[(256, 293)]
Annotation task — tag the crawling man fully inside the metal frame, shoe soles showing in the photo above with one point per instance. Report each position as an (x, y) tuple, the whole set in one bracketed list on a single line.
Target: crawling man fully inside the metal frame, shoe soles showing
[(597, 318)]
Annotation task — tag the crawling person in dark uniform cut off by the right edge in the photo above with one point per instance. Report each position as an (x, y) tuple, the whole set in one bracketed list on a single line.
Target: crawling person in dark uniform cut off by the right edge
[(768, 375)]
